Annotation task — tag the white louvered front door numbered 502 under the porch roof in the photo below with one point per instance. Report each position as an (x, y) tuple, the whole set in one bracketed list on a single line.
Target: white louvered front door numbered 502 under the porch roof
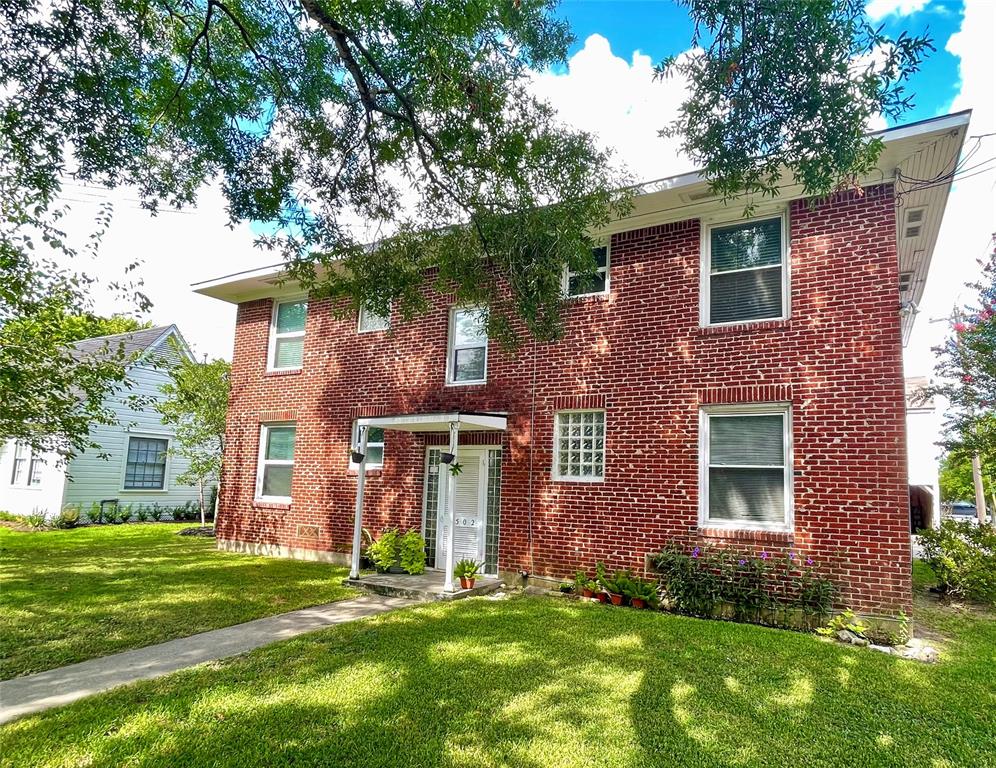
[(470, 508)]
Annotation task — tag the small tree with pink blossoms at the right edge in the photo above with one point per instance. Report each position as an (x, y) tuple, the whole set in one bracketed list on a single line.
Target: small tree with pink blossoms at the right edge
[(966, 369)]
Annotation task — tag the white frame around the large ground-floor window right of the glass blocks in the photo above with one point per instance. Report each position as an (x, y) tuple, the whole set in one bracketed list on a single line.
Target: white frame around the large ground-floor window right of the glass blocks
[(747, 409)]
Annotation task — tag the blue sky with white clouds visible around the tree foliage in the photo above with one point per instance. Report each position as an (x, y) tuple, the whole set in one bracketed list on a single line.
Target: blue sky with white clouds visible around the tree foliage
[(607, 88)]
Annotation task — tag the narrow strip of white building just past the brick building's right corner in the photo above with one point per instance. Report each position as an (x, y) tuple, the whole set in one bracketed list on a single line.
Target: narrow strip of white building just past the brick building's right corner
[(923, 430)]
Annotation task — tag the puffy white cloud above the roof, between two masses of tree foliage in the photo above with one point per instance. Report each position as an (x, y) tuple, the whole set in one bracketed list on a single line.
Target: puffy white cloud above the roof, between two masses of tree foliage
[(620, 102)]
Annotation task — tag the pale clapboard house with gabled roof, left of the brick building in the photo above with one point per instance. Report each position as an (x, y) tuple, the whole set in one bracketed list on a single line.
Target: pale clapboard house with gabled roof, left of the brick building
[(137, 469)]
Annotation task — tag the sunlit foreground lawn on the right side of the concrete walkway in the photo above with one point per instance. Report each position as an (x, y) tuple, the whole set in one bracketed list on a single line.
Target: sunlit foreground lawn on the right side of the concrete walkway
[(544, 682)]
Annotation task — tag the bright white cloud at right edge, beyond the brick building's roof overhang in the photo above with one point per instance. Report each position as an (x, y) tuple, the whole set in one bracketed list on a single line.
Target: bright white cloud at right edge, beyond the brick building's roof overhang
[(970, 217)]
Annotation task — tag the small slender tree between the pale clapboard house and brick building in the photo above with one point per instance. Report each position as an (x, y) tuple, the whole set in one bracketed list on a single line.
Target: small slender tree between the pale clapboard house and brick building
[(195, 406)]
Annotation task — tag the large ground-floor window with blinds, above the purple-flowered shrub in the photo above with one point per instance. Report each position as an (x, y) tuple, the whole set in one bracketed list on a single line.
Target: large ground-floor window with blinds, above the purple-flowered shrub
[(746, 474)]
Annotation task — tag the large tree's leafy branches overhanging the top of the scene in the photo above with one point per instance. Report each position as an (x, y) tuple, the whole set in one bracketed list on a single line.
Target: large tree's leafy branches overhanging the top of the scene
[(415, 118)]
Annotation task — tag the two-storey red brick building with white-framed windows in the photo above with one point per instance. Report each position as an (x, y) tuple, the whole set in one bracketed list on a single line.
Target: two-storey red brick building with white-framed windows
[(724, 382)]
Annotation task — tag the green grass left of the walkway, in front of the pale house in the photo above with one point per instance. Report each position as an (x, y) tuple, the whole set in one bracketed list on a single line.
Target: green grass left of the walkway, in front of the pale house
[(66, 596)]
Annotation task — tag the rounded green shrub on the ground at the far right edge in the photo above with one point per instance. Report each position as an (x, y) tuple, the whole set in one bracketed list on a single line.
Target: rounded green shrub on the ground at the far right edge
[(963, 557)]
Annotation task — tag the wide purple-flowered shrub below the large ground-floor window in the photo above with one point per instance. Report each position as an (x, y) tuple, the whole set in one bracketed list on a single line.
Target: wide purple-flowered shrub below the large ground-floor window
[(753, 589)]
